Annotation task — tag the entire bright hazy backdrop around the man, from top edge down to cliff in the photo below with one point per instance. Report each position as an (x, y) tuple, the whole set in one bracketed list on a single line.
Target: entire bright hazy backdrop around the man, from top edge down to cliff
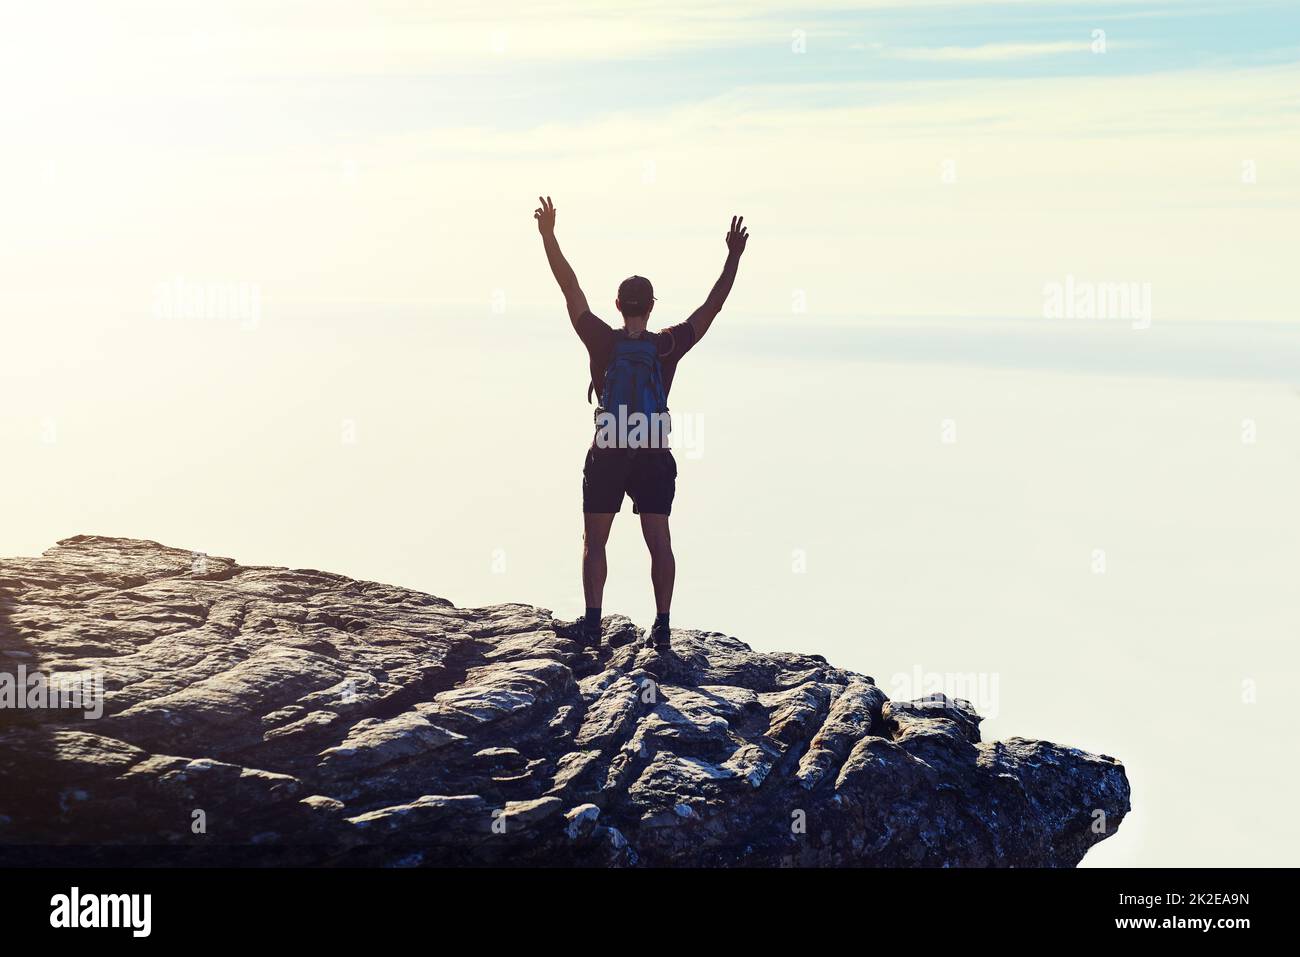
[(271, 280)]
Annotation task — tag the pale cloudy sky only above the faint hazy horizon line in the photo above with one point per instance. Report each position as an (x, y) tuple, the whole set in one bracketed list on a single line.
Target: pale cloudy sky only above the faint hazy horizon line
[(920, 159)]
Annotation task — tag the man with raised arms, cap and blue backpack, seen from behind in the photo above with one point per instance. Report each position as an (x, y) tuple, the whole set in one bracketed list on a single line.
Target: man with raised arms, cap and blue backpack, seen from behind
[(632, 373)]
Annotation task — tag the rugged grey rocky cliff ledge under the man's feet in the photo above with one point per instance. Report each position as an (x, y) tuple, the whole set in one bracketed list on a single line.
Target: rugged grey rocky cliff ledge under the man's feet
[(274, 716)]
